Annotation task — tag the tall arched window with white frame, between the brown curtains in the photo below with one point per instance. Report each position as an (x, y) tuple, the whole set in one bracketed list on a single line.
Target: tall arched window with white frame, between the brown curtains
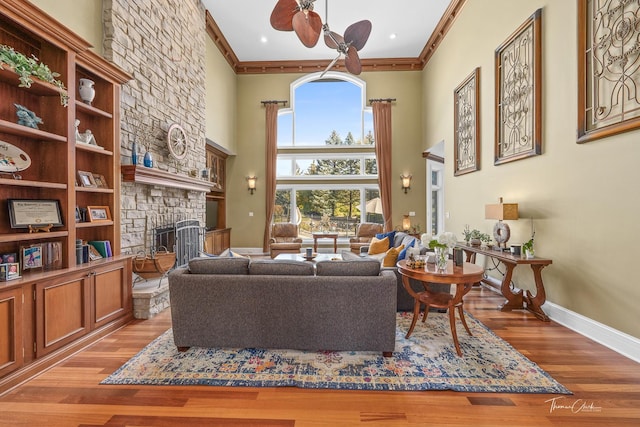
[(327, 176)]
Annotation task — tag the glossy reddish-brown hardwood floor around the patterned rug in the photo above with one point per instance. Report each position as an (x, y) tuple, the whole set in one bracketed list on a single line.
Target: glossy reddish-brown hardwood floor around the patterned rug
[(606, 389)]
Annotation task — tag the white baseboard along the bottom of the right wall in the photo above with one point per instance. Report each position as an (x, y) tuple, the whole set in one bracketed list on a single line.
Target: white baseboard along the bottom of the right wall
[(617, 341)]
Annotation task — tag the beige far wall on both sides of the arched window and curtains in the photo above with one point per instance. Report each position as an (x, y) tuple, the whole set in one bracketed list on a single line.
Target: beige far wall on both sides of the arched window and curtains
[(404, 86)]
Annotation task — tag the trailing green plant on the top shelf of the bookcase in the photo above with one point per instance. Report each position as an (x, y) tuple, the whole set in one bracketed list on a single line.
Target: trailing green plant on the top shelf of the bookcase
[(26, 68)]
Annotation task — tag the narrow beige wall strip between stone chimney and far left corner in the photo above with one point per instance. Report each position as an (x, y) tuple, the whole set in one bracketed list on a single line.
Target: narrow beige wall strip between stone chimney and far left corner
[(221, 88)]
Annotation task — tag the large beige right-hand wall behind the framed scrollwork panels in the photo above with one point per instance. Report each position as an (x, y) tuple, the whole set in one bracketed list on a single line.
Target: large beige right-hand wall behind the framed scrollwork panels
[(583, 198)]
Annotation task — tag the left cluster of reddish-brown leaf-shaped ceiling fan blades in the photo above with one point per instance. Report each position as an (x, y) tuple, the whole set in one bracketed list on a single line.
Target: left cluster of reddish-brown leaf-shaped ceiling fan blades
[(298, 16)]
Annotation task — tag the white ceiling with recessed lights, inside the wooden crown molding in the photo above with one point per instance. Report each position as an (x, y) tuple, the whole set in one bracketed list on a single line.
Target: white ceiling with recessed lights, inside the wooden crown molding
[(245, 23)]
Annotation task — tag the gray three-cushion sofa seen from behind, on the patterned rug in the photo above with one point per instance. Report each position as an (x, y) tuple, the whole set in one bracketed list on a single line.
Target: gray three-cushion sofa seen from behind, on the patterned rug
[(238, 303)]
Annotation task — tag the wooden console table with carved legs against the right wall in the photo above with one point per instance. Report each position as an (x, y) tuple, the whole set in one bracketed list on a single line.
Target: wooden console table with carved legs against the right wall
[(516, 298)]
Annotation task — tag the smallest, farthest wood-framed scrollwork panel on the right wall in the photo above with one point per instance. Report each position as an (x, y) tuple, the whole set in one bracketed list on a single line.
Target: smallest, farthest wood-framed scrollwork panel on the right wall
[(466, 118)]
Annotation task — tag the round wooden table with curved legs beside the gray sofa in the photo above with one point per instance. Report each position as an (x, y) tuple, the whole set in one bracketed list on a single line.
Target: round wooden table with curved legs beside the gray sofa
[(463, 277)]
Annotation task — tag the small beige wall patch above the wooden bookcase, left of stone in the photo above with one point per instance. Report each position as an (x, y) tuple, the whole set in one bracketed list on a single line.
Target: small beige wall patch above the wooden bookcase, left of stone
[(83, 17)]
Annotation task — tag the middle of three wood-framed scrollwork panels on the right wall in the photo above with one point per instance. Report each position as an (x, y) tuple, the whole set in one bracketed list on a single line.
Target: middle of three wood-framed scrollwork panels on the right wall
[(518, 76)]
